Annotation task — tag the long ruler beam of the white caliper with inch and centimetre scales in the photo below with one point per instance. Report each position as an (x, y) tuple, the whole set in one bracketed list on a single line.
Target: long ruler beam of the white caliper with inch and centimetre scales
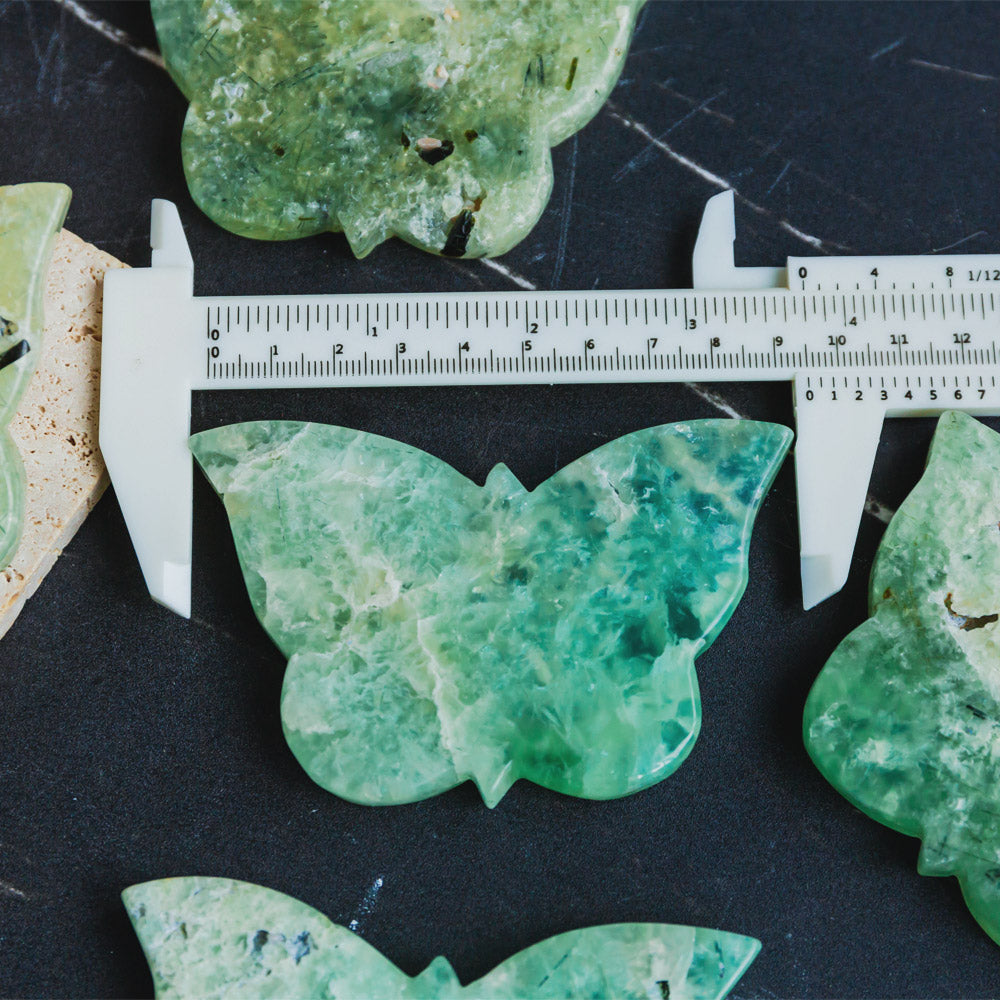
[(404, 340)]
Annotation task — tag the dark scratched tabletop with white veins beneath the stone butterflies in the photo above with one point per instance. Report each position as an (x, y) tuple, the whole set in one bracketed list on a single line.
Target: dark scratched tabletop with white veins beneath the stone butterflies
[(136, 745)]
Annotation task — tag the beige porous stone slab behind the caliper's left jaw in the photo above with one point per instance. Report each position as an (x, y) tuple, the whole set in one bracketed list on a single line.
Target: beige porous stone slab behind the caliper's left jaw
[(55, 428)]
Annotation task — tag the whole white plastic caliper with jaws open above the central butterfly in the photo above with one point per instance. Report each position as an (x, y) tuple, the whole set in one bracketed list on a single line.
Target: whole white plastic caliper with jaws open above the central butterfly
[(860, 338)]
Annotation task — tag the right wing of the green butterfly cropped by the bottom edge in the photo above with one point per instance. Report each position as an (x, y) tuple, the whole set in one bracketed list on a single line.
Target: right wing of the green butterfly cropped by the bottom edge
[(624, 961)]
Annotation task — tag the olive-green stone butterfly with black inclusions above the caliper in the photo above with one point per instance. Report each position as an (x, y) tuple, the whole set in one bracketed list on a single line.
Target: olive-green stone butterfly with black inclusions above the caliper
[(426, 119)]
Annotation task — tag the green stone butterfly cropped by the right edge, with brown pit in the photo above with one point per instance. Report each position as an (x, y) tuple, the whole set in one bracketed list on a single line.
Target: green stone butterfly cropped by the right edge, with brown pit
[(904, 719)]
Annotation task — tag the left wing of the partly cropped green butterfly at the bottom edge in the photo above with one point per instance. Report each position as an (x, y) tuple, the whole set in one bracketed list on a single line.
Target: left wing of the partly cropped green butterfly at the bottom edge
[(219, 938)]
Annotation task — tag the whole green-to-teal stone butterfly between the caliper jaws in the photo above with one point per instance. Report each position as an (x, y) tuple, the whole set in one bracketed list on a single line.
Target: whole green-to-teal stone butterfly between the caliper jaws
[(437, 630)]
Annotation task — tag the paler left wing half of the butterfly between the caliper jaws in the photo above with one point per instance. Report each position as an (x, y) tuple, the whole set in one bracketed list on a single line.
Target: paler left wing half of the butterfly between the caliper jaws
[(348, 542)]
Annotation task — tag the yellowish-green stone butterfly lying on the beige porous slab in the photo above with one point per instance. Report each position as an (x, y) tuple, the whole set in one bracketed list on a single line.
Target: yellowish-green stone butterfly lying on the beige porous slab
[(31, 216)]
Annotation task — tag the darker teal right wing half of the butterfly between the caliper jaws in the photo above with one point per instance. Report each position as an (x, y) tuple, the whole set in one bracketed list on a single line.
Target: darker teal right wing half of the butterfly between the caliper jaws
[(602, 587)]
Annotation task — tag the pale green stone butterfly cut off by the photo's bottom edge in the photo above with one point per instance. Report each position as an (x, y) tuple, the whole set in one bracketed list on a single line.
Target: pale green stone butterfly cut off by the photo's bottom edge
[(216, 938)]
